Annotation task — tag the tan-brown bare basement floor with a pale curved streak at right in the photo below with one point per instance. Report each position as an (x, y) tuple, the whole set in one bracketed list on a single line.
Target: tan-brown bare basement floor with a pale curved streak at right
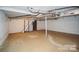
[(36, 42)]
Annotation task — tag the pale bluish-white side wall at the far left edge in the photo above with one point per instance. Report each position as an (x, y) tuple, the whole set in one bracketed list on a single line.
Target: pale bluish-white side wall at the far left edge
[(3, 27)]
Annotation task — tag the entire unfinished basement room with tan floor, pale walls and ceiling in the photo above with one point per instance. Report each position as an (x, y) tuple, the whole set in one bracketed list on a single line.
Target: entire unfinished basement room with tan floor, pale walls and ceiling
[(39, 28)]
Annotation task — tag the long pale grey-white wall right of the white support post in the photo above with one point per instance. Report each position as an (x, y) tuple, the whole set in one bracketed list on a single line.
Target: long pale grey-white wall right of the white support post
[(65, 24)]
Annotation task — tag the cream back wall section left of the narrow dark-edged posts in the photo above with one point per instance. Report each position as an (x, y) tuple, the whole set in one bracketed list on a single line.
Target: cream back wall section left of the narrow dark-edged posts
[(16, 25)]
